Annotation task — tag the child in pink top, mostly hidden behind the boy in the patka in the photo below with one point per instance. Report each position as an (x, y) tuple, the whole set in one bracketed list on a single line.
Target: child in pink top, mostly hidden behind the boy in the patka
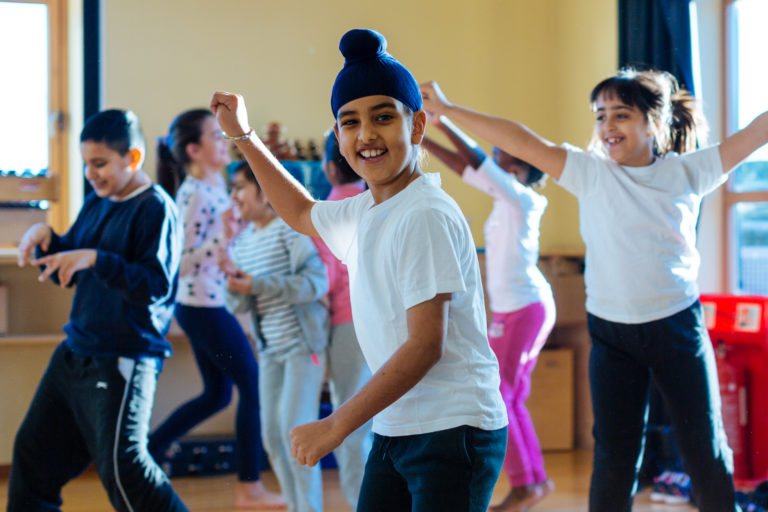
[(347, 371)]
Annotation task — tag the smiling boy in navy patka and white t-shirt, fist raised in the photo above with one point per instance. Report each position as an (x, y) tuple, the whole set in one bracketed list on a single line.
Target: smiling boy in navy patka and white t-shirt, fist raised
[(417, 303)]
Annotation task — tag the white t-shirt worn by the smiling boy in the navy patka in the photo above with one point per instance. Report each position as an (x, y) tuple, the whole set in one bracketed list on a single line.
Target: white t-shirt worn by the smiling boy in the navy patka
[(400, 253)]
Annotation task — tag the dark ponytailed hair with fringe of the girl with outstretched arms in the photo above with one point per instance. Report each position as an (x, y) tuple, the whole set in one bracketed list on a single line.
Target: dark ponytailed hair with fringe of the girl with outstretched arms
[(672, 112)]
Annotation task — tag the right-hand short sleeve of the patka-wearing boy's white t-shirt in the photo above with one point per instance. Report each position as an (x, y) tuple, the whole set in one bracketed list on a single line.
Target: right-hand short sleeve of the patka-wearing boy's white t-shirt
[(429, 257)]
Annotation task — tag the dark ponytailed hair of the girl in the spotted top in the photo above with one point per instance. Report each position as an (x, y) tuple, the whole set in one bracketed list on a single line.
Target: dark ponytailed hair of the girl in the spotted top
[(172, 158)]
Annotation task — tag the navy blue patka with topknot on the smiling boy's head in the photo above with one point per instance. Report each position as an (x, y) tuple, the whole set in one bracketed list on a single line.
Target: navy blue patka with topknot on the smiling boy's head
[(369, 70)]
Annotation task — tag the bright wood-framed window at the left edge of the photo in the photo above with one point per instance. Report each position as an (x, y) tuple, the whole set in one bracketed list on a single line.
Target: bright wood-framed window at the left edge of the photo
[(33, 131)]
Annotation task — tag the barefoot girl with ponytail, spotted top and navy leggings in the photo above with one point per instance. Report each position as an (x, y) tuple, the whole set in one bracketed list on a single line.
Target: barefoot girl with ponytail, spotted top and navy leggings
[(190, 161)]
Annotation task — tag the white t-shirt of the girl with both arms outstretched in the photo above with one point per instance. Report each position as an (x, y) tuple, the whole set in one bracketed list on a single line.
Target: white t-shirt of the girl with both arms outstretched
[(639, 226)]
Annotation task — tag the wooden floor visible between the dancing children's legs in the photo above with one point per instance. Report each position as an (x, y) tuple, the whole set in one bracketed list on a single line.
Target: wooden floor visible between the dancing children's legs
[(569, 470)]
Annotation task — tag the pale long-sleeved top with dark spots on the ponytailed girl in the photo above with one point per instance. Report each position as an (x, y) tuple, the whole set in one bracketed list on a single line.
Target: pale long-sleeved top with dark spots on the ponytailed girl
[(201, 203)]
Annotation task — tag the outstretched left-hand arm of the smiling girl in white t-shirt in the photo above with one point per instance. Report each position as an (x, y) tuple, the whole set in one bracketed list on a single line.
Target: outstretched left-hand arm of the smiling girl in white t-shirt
[(511, 136)]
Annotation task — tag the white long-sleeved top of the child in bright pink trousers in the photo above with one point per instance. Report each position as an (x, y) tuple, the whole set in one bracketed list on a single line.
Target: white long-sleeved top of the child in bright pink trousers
[(513, 279)]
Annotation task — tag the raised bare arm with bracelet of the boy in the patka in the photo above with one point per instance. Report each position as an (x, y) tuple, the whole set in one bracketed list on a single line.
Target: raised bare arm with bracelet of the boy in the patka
[(287, 196)]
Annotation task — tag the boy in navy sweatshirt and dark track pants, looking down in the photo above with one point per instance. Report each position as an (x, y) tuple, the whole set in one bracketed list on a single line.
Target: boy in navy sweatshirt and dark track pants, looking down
[(94, 401)]
